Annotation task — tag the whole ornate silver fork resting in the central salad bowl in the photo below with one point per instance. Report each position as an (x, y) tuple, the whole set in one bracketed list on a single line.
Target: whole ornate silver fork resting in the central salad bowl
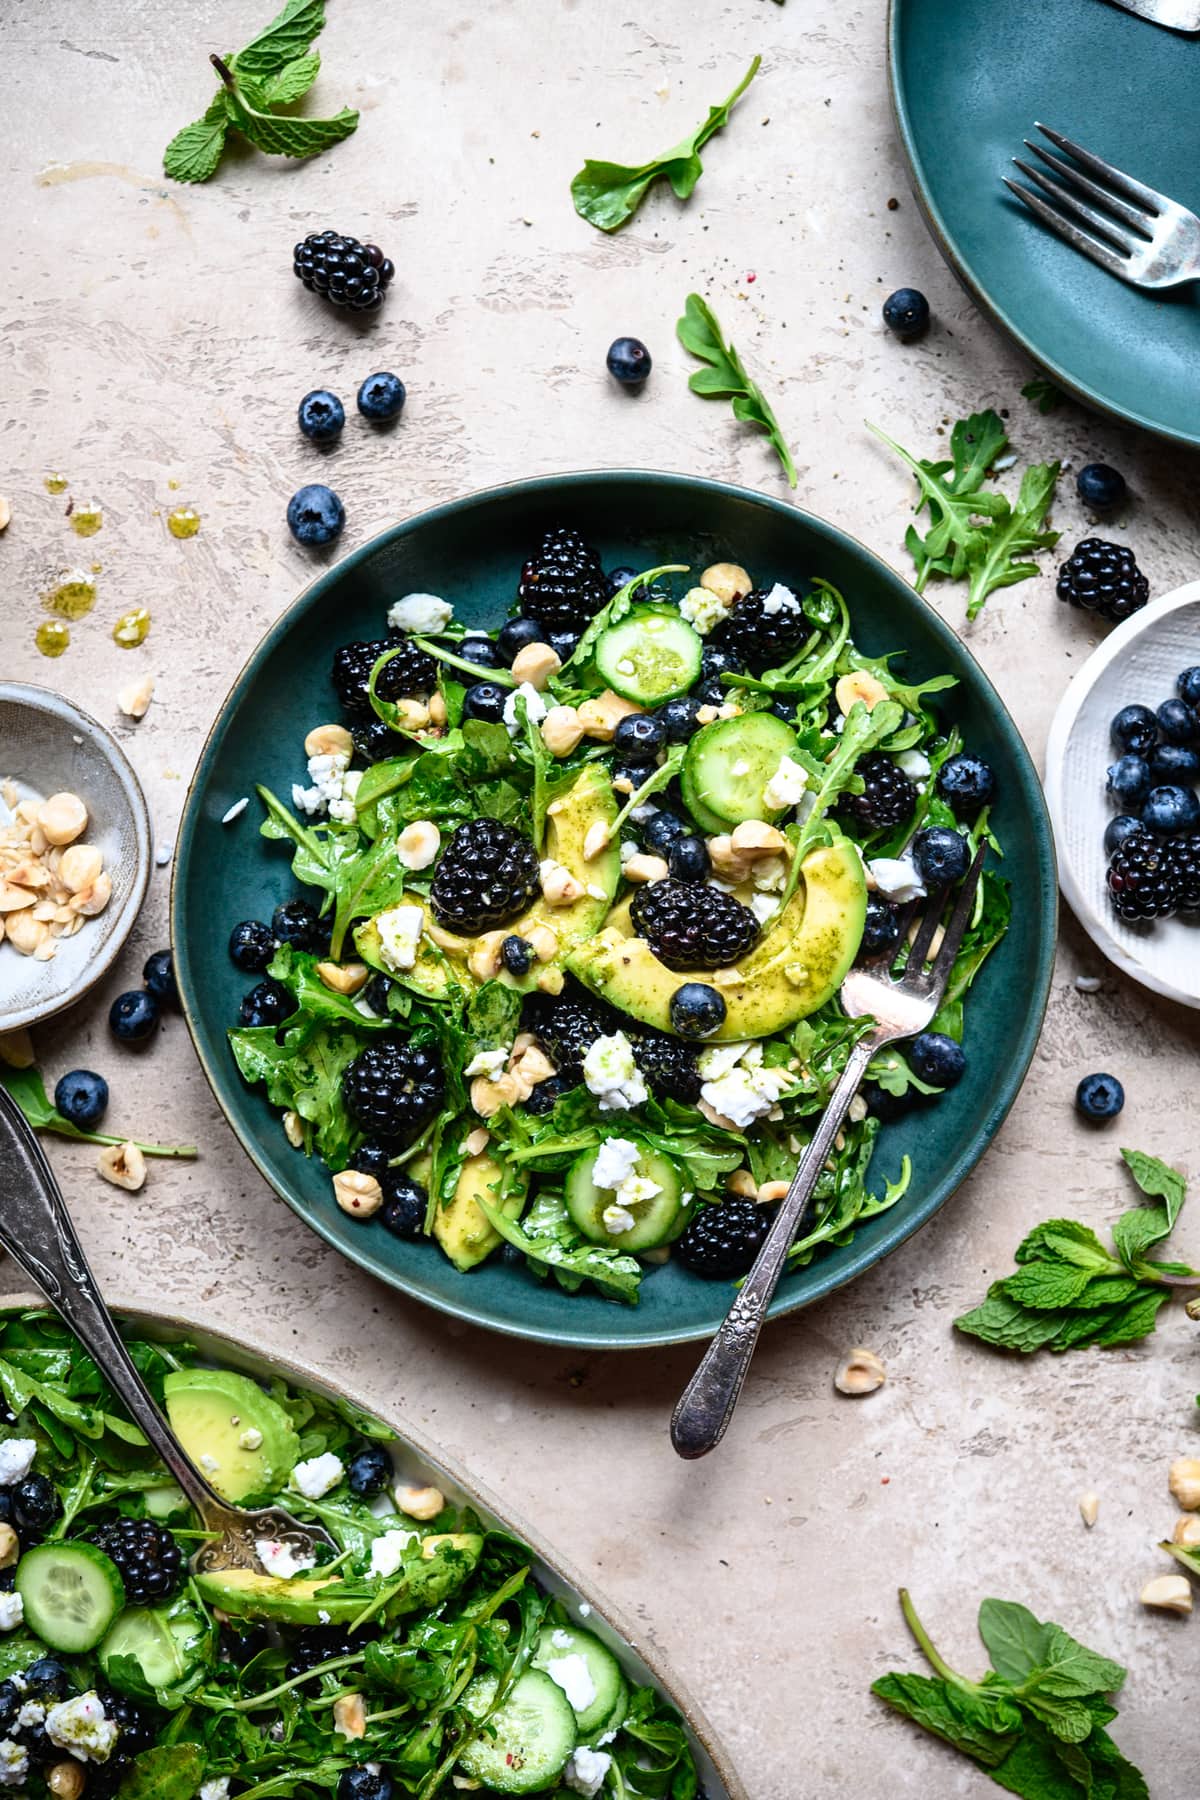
[(900, 1007)]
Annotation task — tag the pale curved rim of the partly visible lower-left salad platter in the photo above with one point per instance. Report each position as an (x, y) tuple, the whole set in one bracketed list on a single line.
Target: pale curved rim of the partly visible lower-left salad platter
[(442, 1462)]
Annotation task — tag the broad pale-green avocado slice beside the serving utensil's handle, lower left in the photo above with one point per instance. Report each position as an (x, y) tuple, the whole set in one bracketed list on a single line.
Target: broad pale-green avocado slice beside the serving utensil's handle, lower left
[(211, 1410)]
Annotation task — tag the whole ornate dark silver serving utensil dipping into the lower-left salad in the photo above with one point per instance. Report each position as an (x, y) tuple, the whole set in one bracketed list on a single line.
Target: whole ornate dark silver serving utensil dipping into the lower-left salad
[(39, 1234)]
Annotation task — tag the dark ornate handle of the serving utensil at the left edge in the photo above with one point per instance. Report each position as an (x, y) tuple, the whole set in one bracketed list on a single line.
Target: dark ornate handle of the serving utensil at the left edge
[(39, 1234)]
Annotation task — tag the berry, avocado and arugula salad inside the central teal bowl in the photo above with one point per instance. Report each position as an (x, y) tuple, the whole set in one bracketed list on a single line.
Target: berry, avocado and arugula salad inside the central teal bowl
[(582, 894)]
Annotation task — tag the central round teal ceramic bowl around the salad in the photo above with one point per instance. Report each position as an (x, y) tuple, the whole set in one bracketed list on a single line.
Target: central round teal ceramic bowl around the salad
[(472, 552)]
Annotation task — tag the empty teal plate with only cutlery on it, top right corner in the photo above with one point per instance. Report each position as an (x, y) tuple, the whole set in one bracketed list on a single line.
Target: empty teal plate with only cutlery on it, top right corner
[(969, 82)]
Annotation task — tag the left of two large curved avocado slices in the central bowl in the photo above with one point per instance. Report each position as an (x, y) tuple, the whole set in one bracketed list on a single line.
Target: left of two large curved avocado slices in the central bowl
[(442, 960)]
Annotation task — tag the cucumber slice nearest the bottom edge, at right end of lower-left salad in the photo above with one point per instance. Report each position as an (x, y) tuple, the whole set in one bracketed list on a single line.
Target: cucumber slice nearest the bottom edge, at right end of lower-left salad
[(528, 1741)]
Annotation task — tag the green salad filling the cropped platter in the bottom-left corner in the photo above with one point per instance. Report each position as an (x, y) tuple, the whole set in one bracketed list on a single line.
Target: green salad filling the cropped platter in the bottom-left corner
[(418, 1659)]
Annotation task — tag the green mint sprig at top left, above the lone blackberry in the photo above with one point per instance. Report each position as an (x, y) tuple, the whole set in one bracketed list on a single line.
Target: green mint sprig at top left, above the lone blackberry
[(276, 69)]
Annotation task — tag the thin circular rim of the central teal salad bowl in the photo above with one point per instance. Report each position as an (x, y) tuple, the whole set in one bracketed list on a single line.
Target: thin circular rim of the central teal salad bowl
[(828, 1277)]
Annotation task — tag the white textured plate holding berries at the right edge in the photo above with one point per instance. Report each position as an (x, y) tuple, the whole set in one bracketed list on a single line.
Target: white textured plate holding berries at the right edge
[(1138, 663)]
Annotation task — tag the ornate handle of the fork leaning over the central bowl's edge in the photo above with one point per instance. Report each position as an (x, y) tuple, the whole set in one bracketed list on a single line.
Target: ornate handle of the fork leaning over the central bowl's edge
[(712, 1396)]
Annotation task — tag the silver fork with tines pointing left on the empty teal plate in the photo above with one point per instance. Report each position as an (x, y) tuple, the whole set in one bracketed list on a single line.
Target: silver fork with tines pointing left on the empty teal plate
[(1133, 229)]
